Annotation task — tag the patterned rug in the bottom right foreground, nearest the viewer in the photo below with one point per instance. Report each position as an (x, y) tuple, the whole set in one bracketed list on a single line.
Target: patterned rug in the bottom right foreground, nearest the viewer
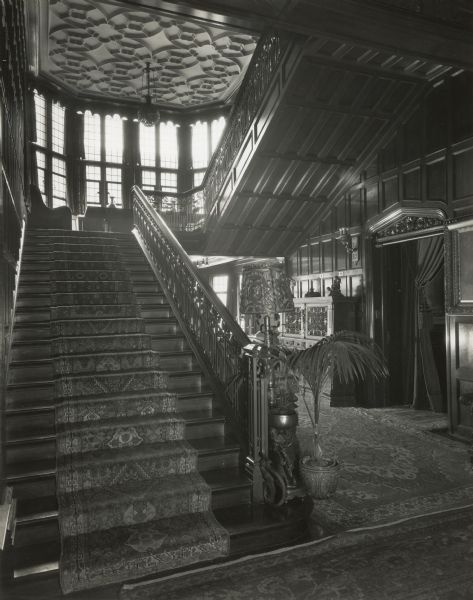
[(428, 558)]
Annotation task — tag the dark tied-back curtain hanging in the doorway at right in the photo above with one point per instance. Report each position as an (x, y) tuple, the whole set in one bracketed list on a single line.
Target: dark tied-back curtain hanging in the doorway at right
[(430, 256)]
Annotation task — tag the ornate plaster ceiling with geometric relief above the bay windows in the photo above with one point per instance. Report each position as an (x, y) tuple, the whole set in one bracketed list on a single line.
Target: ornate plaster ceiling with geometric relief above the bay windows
[(100, 49)]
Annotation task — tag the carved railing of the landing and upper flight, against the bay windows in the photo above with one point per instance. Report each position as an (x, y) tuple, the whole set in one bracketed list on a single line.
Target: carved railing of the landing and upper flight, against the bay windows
[(188, 211)]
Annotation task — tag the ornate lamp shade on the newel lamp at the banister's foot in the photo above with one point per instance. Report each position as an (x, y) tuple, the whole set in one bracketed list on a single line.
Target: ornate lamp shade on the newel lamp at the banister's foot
[(265, 290)]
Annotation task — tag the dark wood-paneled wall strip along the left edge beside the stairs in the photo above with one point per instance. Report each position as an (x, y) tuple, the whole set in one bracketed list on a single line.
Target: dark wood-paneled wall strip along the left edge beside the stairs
[(12, 185)]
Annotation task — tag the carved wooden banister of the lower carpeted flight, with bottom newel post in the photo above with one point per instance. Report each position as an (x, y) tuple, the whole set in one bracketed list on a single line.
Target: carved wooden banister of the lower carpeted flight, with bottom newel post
[(223, 347)]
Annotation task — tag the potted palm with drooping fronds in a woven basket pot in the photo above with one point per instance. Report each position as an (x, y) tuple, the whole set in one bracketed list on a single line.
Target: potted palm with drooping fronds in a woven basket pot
[(349, 355)]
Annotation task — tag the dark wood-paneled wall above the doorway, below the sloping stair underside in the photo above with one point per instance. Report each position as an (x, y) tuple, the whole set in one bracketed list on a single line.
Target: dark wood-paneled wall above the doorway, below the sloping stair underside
[(429, 159)]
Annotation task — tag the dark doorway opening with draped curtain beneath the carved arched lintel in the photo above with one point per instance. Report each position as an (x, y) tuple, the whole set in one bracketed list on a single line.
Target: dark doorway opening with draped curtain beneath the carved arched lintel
[(410, 322)]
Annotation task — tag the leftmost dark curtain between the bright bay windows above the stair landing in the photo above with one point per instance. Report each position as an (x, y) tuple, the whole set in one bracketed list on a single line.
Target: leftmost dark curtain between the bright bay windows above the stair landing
[(74, 150)]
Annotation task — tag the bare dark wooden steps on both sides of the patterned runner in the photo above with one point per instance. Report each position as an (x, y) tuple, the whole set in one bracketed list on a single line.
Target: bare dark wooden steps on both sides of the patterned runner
[(31, 430)]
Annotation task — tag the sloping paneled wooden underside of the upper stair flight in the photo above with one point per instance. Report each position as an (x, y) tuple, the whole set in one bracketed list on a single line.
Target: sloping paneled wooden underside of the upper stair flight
[(343, 104)]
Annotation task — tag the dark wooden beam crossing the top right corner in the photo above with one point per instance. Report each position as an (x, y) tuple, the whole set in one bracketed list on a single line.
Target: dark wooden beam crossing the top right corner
[(385, 27)]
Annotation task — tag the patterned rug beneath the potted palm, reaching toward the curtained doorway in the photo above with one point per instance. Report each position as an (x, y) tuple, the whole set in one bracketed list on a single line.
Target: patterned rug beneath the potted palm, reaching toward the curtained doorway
[(390, 469)]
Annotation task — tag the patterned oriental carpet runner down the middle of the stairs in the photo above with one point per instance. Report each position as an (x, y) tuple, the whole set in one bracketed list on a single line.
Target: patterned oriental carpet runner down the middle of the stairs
[(131, 501)]
